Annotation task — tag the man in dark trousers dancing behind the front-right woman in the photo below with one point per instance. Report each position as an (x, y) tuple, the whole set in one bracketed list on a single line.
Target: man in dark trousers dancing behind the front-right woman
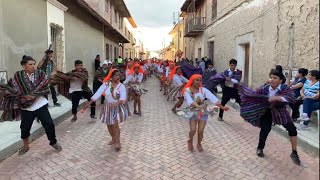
[(229, 91)]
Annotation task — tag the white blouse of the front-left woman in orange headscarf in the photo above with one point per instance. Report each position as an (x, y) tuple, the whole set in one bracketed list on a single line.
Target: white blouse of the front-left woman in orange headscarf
[(106, 88)]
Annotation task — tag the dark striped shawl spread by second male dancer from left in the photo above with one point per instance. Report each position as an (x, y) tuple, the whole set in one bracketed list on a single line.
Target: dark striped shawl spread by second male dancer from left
[(64, 82)]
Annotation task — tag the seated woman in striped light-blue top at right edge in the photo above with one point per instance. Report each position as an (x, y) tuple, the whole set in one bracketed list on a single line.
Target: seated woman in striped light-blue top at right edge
[(310, 95)]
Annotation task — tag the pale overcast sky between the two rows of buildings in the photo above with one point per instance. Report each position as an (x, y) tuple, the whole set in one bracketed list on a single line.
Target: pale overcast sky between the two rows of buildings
[(154, 19)]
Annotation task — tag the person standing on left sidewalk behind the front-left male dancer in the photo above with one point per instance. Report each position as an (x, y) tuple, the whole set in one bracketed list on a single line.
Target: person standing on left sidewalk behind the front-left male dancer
[(49, 67)]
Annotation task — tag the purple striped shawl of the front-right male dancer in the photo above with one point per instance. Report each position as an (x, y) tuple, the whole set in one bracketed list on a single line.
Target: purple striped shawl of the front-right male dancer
[(254, 104)]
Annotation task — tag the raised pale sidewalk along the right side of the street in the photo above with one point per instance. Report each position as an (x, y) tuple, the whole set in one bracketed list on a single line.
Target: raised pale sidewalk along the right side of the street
[(308, 140)]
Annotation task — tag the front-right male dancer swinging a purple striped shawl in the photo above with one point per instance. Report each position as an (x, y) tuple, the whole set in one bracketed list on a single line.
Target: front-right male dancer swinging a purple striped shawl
[(267, 106)]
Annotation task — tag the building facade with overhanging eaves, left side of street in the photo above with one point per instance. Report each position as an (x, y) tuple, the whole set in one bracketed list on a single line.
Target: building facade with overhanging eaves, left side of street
[(78, 29)]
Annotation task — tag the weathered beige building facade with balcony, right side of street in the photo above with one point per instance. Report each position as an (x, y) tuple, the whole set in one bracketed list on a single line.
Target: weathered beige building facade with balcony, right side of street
[(258, 33)]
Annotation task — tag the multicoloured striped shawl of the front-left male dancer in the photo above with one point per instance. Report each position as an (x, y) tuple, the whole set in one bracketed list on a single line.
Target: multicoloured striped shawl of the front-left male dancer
[(20, 85)]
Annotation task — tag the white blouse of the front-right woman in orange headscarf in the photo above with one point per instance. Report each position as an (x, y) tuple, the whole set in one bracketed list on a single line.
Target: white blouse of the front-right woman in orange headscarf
[(202, 95)]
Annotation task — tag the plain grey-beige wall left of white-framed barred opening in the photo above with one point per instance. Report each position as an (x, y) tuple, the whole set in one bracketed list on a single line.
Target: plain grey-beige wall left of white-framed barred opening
[(22, 31)]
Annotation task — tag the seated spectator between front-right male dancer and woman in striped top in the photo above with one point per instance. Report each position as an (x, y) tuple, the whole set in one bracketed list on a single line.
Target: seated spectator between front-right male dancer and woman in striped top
[(296, 85)]
